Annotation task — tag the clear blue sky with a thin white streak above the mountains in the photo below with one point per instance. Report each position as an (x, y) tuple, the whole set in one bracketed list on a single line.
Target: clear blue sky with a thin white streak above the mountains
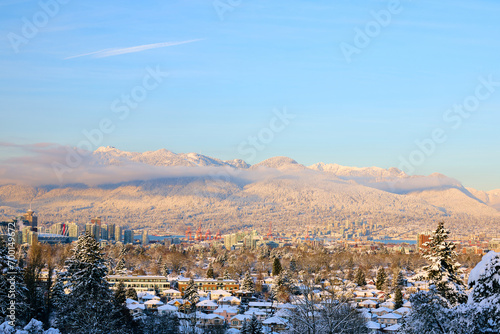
[(261, 56)]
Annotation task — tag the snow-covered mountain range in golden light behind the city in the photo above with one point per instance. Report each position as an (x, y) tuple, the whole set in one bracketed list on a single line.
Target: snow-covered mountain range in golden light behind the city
[(169, 190)]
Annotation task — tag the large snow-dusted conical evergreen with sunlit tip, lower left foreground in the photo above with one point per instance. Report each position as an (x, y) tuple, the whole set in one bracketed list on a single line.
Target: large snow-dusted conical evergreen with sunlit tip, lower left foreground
[(89, 307)]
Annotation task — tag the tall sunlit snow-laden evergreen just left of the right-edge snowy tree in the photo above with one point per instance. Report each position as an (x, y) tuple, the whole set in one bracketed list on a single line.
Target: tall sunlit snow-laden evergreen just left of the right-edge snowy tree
[(442, 272)]
